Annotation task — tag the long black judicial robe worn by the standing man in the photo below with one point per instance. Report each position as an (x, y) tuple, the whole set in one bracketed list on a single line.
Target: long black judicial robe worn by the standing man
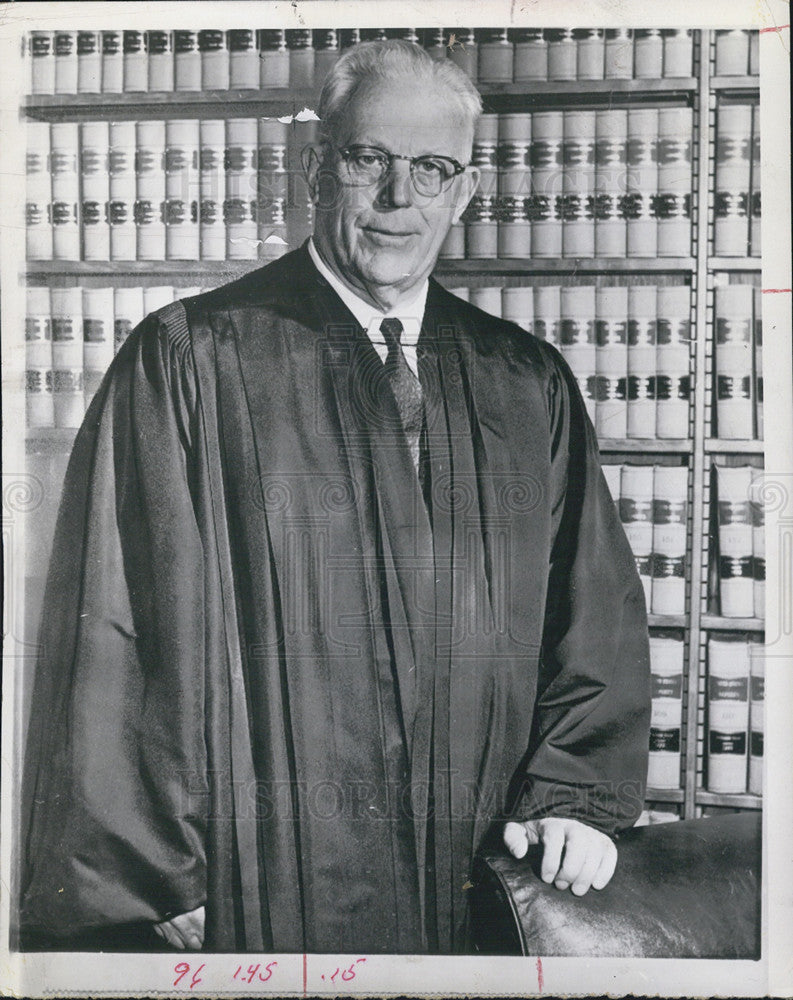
[(277, 676)]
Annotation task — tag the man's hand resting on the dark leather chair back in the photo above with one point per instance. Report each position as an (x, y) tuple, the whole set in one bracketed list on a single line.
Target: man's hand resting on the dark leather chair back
[(574, 856)]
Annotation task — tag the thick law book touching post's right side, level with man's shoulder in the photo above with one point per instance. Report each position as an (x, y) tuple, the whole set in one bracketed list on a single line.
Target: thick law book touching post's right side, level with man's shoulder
[(733, 362)]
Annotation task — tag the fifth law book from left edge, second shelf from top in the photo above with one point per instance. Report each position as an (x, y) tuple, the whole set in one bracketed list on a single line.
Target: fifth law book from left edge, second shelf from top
[(150, 190)]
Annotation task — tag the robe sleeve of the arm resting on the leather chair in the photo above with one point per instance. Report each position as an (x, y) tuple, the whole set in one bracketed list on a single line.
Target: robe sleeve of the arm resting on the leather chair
[(590, 735)]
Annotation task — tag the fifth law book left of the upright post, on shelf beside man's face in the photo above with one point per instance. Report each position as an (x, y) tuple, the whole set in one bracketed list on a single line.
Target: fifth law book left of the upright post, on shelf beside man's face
[(545, 206)]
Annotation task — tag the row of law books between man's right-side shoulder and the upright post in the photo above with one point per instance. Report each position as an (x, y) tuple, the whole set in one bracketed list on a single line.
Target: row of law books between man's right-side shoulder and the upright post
[(629, 347)]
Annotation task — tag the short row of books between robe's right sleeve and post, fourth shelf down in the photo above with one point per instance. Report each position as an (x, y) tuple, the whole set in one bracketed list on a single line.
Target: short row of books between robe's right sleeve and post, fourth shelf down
[(653, 506)]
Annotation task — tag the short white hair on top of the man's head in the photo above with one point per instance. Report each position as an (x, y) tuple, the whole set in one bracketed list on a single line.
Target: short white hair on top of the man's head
[(386, 60)]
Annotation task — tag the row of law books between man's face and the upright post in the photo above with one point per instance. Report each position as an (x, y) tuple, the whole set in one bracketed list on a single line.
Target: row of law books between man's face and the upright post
[(610, 183)]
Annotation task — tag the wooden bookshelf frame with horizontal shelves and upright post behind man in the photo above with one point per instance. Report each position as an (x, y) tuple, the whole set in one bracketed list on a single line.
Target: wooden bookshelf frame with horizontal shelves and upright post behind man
[(696, 449)]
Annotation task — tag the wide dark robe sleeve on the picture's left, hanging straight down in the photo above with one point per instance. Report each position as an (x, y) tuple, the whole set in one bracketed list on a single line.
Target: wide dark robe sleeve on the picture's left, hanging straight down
[(114, 796)]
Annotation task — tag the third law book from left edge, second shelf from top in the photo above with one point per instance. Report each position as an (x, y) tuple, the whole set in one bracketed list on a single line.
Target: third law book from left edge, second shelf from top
[(95, 189)]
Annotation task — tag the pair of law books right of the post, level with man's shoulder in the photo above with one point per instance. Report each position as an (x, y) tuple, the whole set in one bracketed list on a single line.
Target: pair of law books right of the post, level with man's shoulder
[(738, 362)]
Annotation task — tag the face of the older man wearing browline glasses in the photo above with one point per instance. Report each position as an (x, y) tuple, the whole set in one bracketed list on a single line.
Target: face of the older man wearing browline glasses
[(385, 238)]
